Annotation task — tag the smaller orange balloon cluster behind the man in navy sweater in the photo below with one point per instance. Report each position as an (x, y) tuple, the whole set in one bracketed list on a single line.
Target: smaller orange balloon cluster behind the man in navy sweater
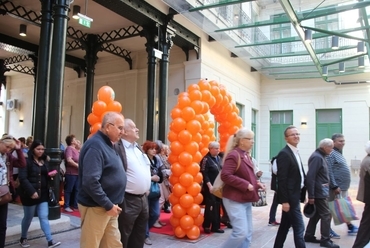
[(105, 103)]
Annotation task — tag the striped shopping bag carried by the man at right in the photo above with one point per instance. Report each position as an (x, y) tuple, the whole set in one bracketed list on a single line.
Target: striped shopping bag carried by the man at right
[(342, 210)]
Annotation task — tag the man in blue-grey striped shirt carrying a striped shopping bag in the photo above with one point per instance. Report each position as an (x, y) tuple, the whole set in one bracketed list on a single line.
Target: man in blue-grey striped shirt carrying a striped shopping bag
[(340, 178)]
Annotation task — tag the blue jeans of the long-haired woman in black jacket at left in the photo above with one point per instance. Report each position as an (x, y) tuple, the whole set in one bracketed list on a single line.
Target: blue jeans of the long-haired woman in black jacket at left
[(42, 212)]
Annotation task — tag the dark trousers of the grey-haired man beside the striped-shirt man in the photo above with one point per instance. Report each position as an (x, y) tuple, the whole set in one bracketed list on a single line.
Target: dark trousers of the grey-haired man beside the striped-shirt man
[(323, 214)]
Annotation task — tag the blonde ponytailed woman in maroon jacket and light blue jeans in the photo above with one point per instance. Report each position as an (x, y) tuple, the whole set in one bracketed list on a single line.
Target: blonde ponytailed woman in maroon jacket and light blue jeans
[(240, 188)]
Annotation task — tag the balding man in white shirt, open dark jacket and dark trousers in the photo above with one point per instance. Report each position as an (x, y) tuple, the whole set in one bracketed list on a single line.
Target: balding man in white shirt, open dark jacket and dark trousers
[(134, 217)]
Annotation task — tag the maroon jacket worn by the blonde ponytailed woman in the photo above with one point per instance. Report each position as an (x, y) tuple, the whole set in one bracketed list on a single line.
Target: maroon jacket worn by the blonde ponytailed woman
[(237, 181)]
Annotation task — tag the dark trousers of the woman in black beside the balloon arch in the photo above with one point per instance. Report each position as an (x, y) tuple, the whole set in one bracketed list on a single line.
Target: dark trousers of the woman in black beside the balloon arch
[(212, 212)]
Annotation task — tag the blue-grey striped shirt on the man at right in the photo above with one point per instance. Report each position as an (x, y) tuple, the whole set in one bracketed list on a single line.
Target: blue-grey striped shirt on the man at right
[(339, 173)]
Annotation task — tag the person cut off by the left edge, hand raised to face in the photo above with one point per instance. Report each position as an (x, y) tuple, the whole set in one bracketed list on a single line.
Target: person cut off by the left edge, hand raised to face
[(7, 162)]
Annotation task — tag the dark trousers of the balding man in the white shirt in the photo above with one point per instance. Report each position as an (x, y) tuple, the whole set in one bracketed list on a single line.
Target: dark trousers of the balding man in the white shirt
[(133, 220)]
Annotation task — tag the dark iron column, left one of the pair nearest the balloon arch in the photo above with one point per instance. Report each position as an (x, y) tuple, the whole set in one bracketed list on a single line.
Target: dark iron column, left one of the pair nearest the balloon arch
[(150, 35)]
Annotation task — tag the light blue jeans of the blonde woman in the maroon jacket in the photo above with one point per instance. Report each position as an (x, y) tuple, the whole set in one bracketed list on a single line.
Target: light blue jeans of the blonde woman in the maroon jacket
[(240, 215)]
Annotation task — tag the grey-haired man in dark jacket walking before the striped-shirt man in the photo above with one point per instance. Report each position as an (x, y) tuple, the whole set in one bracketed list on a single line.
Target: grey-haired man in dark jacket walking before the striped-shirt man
[(317, 182)]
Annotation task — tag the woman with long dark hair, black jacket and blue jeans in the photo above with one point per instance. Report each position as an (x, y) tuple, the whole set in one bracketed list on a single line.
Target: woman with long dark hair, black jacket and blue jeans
[(34, 192)]
